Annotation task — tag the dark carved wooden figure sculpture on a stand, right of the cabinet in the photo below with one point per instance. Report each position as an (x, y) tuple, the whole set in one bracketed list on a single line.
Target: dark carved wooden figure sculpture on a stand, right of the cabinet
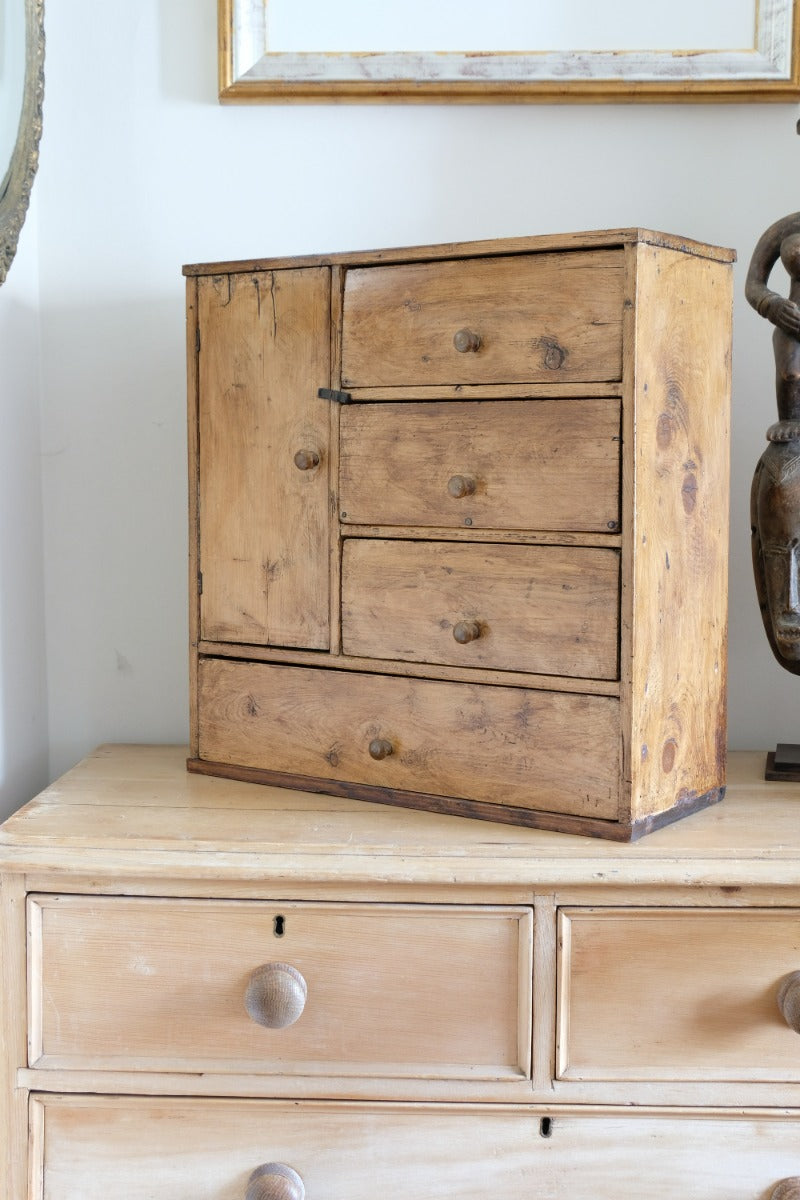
[(775, 497)]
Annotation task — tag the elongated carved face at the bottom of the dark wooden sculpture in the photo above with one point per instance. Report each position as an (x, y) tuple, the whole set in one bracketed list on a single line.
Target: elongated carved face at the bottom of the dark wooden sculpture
[(775, 521)]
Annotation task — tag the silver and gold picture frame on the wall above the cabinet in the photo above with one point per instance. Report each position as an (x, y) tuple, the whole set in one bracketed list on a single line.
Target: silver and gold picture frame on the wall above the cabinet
[(250, 73)]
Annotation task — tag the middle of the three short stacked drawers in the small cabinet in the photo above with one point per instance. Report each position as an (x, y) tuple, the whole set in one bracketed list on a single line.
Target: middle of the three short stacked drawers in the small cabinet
[(526, 465)]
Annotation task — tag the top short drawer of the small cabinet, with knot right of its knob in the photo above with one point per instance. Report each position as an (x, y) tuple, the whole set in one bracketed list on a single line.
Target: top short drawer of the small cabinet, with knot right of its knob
[(537, 319)]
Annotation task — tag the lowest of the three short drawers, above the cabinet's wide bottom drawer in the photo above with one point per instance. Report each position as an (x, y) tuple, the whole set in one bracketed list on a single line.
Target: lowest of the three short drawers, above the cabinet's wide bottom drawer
[(549, 610)]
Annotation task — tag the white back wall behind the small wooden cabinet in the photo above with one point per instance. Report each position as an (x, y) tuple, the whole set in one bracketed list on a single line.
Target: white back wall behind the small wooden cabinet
[(143, 171)]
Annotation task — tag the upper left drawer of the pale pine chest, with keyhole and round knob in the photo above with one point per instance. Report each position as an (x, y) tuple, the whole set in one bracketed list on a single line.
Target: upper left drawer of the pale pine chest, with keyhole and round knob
[(146, 985)]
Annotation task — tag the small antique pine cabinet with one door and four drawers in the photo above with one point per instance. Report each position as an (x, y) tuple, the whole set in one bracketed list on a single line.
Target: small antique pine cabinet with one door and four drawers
[(460, 525)]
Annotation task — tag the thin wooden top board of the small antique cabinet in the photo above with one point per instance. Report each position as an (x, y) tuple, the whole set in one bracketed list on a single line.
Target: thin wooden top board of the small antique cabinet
[(588, 241)]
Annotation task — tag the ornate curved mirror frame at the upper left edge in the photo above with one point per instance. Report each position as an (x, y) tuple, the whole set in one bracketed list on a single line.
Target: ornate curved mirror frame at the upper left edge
[(19, 179)]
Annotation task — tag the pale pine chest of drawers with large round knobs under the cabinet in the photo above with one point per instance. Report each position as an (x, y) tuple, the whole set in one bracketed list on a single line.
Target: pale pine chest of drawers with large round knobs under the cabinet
[(225, 992)]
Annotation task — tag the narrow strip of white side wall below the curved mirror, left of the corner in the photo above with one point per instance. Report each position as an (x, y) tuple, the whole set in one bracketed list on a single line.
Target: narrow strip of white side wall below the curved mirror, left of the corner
[(23, 693)]
